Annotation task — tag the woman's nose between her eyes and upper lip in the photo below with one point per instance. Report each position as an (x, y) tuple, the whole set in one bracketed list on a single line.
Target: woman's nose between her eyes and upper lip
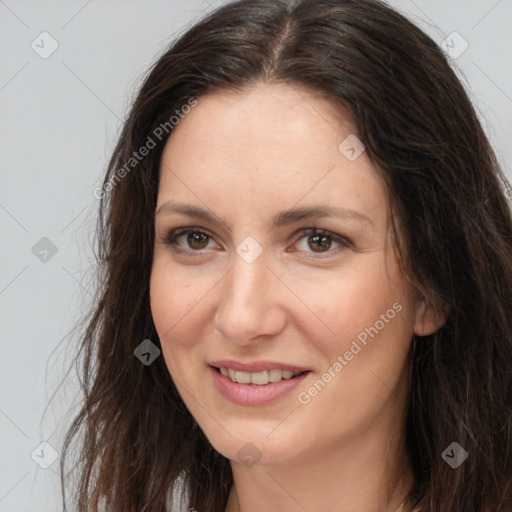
[(250, 305)]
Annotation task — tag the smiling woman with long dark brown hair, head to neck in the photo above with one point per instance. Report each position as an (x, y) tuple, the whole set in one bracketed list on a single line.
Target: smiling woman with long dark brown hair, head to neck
[(307, 280)]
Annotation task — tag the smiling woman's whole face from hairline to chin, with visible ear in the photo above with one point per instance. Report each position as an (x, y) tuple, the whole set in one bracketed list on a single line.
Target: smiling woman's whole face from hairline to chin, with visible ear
[(249, 285)]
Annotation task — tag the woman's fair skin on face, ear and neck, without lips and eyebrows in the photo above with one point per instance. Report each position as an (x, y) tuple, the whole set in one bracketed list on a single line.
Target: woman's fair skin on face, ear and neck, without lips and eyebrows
[(245, 156)]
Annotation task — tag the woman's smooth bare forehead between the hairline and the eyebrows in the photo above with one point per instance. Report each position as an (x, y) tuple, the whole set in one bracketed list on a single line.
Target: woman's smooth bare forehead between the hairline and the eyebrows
[(268, 145)]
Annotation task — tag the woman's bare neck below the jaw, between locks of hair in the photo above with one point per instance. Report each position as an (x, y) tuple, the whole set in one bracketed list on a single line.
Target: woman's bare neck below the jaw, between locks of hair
[(368, 473)]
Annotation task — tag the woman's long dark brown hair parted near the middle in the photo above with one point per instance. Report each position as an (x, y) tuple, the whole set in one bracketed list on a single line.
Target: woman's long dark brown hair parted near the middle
[(139, 443)]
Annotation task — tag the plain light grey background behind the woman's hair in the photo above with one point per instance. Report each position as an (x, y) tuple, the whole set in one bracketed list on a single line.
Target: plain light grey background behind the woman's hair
[(60, 117)]
